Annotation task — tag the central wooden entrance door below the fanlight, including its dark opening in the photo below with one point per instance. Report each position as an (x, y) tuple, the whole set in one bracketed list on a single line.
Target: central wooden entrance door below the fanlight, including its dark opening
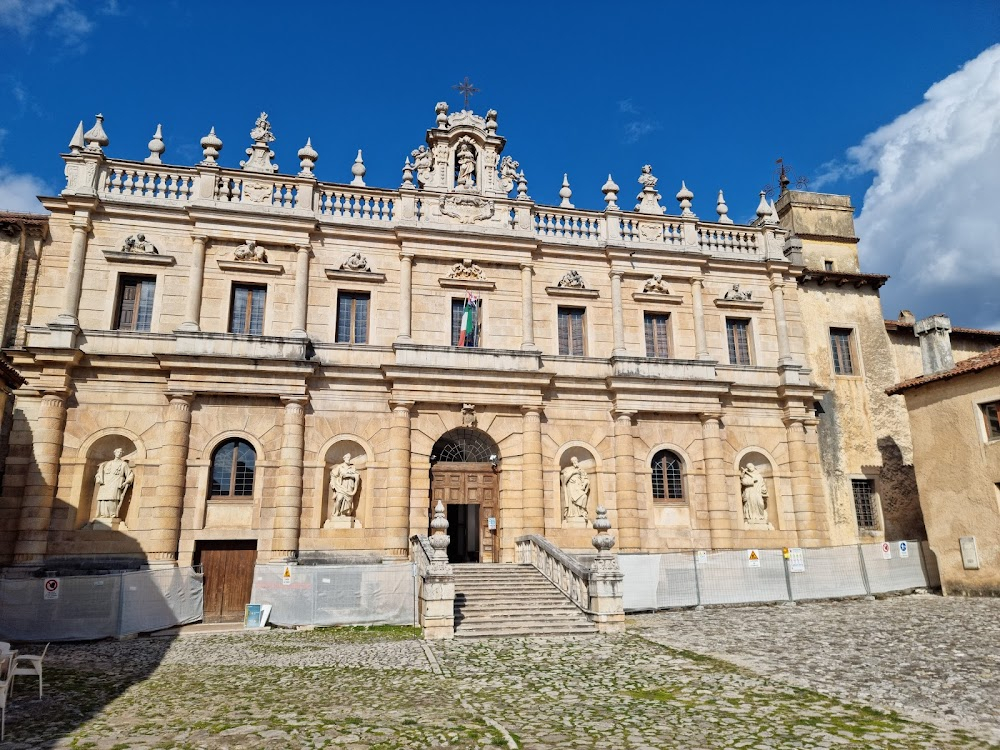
[(469, 494)]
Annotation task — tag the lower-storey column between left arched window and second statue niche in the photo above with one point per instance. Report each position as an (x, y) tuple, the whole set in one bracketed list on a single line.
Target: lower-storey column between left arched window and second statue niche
[(288, 493)]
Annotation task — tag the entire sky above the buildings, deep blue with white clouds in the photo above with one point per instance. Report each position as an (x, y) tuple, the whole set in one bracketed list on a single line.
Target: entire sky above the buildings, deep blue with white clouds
[(711, 93)]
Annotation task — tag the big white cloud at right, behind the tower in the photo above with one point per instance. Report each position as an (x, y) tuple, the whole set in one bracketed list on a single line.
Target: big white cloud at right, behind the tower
[(930, 217)]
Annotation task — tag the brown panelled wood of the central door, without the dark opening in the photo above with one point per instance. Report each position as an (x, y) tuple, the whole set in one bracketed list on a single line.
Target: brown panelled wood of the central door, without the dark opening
[(471, 484)]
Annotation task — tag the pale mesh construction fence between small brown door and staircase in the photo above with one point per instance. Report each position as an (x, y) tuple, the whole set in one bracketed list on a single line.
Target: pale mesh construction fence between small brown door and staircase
[(337, 594)]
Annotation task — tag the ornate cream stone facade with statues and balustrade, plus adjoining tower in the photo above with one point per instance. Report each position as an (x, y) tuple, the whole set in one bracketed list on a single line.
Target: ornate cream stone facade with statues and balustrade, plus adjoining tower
[(277, 360)]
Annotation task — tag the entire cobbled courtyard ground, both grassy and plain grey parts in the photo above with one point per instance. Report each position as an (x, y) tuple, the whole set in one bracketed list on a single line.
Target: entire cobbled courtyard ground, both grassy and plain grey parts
[(907, 672)]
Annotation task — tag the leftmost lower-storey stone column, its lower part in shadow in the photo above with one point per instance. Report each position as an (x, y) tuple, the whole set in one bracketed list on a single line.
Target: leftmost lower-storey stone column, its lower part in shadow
[(41, 479)]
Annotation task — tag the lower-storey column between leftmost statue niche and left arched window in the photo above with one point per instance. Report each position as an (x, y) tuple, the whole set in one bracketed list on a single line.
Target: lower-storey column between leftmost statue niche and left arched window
[(171, 481)]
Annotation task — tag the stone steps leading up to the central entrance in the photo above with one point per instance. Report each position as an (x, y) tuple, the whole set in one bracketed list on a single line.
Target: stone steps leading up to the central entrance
[(512, 600)]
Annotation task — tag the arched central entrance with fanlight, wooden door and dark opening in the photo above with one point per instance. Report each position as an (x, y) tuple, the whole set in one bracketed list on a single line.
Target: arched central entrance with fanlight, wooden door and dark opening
[(465, 478)]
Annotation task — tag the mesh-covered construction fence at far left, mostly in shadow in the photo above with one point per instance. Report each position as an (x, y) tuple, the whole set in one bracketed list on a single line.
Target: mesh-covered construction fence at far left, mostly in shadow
[(99, 606)]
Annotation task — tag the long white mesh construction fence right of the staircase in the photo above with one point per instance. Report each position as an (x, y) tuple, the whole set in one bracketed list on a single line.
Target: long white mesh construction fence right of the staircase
[(688, 579)]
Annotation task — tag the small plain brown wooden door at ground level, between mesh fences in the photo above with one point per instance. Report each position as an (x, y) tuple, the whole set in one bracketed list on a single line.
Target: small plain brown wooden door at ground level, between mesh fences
[(228, 571)]
